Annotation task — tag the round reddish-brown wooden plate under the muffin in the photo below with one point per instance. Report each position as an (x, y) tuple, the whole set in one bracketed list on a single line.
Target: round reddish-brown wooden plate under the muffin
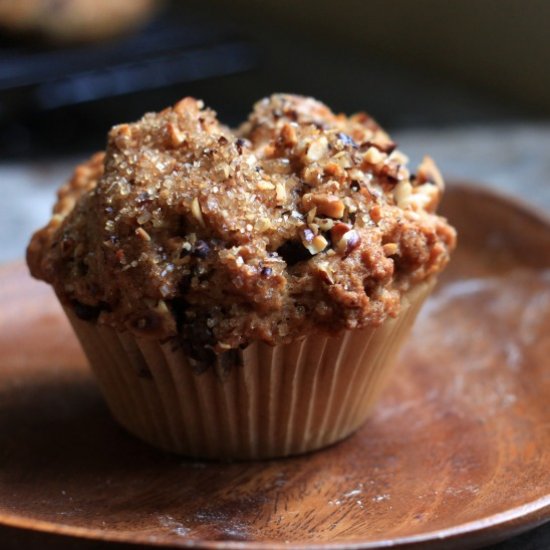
[(457, 452)]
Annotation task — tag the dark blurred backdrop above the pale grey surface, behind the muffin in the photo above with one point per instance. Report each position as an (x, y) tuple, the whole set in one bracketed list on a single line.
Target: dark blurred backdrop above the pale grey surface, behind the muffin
[(422, 63)]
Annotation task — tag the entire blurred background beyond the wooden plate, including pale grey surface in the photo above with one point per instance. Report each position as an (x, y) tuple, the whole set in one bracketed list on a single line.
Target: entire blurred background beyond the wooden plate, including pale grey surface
[(467, 81)]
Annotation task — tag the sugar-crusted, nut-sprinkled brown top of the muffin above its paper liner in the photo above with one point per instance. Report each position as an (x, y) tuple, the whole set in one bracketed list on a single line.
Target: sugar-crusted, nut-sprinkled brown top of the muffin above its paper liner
[(299, 221)]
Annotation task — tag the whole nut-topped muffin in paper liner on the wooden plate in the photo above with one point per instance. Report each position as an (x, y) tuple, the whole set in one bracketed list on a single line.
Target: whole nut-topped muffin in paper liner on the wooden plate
[(241, 294)]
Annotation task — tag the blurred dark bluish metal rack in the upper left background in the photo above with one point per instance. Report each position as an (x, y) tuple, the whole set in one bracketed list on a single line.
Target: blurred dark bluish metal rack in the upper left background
[(166, 52)]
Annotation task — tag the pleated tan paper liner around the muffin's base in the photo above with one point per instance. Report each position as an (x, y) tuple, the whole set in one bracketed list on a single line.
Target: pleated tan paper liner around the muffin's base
[(270, 402)]
